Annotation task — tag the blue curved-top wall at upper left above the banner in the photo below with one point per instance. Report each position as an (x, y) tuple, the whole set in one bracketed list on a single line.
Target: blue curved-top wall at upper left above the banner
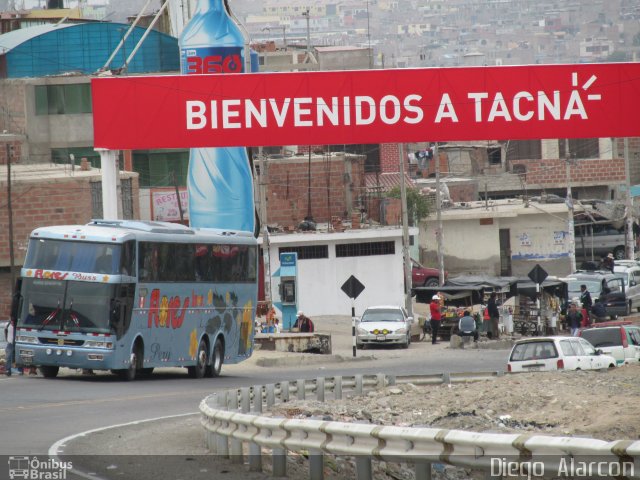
[(86, 47)]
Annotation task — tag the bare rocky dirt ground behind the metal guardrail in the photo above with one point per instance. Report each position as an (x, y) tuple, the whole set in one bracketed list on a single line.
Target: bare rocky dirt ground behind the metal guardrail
[(601, 405)]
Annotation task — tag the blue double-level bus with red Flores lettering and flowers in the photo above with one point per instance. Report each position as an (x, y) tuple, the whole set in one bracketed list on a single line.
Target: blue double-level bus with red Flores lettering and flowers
[(130, 296)]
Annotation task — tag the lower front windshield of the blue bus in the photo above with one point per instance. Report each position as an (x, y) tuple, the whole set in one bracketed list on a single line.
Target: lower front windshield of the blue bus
[(65, 305)]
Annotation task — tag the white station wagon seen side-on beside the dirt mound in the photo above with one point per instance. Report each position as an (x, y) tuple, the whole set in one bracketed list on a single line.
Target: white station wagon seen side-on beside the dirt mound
[(556, 353)]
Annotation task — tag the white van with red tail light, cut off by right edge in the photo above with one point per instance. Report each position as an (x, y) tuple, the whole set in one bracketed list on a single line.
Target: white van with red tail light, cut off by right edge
[(621, 340)]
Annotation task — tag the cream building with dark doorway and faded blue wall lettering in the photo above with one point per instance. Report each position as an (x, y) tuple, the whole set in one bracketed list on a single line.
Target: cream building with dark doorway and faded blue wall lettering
[(503, 237)]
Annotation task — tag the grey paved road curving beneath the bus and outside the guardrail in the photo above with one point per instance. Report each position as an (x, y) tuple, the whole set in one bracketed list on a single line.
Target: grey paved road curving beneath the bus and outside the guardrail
[(38, 412)]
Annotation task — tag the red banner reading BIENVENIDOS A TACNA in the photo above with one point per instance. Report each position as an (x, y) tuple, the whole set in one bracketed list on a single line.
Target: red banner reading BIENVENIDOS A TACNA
[(367, 106)]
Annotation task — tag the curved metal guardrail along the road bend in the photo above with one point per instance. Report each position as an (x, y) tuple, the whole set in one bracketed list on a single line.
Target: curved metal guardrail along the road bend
[(232, 421)]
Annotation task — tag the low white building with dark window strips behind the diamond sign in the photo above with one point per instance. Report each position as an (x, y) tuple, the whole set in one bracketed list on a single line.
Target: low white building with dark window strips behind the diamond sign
[(327, 259)]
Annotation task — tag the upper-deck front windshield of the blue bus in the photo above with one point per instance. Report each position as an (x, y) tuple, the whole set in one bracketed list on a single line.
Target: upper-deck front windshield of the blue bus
[(84, 257)]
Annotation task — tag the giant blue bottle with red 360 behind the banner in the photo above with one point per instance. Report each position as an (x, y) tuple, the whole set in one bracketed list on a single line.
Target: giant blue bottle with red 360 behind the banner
[(220, 181)]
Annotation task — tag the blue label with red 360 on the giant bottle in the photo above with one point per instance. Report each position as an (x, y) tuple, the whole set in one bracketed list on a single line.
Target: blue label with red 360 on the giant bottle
[(197, 61)]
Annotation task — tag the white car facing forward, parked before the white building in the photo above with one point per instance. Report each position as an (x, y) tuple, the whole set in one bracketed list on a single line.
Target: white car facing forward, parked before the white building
[(384, 325)]
